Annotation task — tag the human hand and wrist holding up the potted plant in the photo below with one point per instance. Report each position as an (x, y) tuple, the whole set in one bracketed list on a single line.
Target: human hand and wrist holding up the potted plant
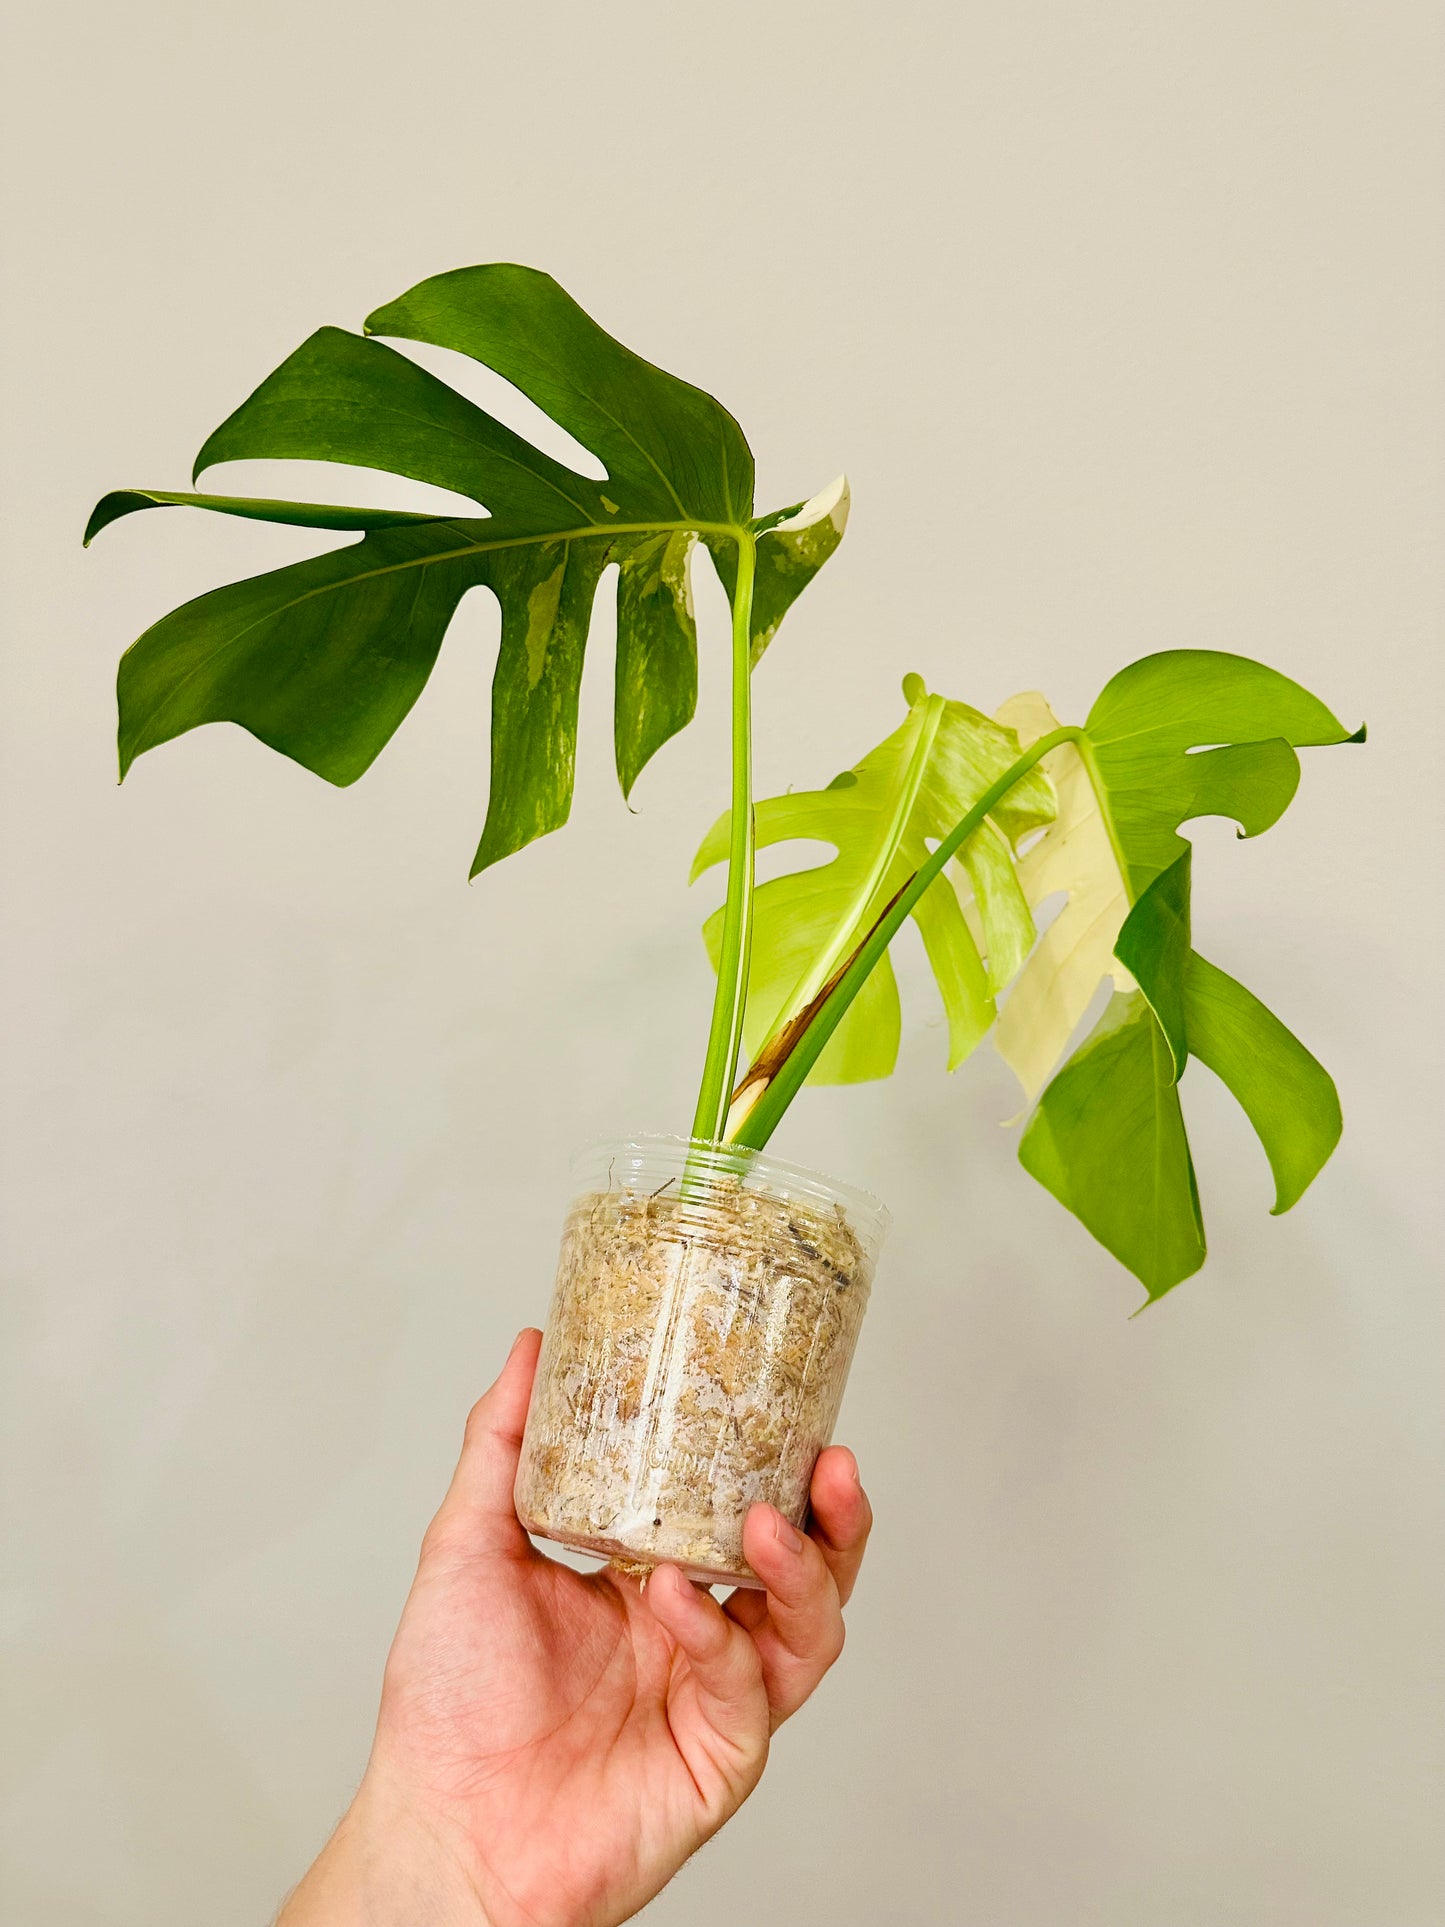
[(554, 1745)]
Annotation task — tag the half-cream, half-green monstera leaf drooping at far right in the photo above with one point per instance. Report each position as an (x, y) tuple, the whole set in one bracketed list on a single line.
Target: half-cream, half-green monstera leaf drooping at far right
[(1174, 737)]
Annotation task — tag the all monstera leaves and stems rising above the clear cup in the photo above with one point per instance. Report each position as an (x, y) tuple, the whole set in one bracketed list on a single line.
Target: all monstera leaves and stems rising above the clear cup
[(962, 822)]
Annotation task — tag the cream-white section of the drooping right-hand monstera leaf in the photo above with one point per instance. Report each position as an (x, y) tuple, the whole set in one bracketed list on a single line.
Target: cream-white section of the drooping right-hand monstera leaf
[(1076, 953)]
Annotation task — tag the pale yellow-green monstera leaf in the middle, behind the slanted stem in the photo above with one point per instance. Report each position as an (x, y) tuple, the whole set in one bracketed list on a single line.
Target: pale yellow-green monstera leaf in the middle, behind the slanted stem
[(881, 818)]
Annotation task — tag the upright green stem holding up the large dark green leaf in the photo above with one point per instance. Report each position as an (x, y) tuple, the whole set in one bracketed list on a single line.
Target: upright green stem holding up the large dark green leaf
[(725, 1034)]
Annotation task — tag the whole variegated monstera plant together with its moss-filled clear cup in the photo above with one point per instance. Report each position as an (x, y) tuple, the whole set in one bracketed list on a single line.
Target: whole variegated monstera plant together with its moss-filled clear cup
[(708, 1296)]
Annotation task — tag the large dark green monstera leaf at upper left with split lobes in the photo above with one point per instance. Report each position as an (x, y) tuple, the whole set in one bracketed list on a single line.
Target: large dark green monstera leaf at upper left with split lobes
[(325, 660)]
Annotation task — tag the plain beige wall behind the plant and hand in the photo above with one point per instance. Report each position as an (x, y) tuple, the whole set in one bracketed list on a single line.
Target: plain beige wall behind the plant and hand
[(1126, 321)]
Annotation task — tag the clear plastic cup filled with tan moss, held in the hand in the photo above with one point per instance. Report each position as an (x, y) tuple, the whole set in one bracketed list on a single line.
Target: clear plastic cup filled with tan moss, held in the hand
[(698, 1344)]
